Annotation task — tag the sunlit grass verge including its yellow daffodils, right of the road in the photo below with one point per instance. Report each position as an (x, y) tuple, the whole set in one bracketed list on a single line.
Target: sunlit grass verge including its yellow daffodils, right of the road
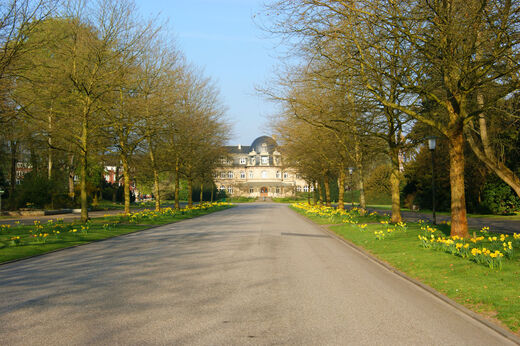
[(440, 263)]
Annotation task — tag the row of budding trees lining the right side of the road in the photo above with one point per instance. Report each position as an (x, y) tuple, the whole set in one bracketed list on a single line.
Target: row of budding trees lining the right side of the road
[(378, 76)]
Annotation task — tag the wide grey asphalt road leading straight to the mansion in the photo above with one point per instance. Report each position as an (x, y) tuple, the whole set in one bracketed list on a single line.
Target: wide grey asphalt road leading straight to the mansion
[(254, 274)]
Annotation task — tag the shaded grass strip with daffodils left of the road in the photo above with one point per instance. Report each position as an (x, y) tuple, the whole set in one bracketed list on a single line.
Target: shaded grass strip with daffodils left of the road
[(21, 241)]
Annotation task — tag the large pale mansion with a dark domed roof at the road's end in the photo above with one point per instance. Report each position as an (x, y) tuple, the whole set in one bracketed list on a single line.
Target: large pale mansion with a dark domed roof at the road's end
[(258, 171)]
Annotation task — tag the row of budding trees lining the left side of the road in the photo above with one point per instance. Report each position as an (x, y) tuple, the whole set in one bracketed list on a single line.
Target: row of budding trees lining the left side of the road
[(83, 81)]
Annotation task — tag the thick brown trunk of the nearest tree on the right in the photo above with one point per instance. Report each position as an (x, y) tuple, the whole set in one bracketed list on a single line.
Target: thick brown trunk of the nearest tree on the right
[(459, 221)]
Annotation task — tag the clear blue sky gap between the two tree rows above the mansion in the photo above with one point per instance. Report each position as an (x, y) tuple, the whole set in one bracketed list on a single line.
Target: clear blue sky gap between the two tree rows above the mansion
[(221, 37)]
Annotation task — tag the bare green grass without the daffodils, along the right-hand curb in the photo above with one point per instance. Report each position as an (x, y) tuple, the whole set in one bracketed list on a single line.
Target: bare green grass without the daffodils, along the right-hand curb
[(492, 292)]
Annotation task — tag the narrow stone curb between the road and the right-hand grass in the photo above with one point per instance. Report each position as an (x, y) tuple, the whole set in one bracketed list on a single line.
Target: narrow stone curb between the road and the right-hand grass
[(498, 329)]
